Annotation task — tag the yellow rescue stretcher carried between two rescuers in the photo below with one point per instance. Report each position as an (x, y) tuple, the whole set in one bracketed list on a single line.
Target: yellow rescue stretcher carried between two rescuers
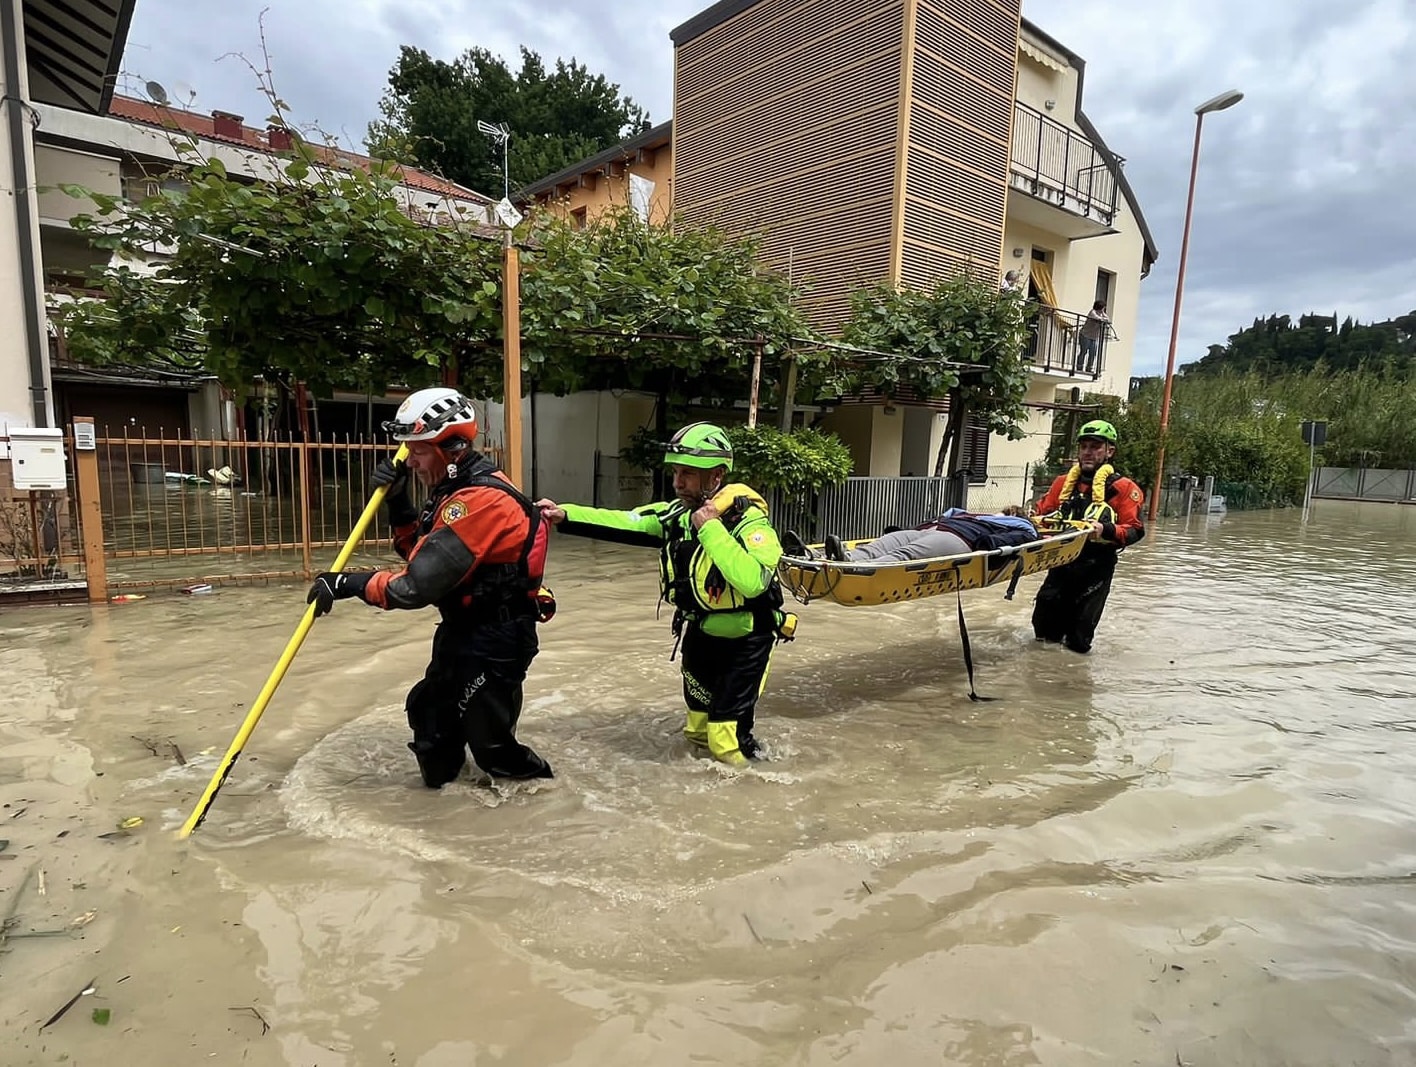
[(856, 585)]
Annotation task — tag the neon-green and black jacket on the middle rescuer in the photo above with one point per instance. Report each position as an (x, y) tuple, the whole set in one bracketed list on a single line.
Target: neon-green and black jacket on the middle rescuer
[(726, 581)]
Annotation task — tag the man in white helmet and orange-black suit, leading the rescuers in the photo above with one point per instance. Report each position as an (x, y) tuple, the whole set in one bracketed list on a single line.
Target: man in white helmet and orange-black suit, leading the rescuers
[(476, 551)]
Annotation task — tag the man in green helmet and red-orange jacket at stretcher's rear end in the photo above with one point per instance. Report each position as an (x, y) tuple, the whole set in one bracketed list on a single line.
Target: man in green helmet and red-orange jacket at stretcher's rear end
[(1074, 595)]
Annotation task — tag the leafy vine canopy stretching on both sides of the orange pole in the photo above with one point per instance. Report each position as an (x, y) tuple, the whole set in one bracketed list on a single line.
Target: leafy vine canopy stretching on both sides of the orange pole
[(325, 278)]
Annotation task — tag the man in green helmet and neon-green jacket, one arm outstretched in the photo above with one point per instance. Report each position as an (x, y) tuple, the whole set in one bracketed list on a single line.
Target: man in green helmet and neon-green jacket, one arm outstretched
[(719, 568)]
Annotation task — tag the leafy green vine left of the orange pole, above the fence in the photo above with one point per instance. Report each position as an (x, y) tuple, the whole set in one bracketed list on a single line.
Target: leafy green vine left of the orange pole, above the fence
[(325, 281)]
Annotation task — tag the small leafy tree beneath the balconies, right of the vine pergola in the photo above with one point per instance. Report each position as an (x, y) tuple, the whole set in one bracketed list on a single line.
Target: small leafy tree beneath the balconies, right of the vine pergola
[(964, 340)]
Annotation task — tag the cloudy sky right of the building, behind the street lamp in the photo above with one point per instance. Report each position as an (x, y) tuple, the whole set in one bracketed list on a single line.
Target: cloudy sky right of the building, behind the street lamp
[(1303, 200)]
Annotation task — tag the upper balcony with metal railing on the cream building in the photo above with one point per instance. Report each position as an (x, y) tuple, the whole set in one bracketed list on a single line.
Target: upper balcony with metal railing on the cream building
[(1068, 183)]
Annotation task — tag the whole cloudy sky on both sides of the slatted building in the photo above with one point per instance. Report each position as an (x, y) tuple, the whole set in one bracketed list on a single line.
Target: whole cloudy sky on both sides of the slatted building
[(1306, 192)]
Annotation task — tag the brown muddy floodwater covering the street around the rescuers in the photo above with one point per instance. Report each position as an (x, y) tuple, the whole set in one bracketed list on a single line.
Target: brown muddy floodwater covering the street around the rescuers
[(1194, 847)]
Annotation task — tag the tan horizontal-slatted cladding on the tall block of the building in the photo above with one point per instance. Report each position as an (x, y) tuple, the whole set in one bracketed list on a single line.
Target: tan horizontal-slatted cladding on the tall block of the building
[(867, 142)]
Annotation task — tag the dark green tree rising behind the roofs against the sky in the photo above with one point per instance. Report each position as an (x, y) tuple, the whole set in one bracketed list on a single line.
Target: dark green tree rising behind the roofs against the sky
[(557, 117)]
